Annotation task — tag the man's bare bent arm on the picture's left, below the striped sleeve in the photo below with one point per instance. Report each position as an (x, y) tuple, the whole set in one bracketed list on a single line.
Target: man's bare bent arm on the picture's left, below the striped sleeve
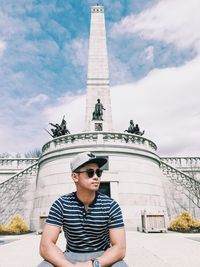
[(48, 248)]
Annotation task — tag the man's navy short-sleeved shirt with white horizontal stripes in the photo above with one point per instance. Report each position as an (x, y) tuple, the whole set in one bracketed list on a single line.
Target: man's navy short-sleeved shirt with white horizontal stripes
[(86, 230)]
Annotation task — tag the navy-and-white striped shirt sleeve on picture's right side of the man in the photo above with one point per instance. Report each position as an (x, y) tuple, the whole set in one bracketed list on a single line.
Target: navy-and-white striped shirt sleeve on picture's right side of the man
[(116, 219)]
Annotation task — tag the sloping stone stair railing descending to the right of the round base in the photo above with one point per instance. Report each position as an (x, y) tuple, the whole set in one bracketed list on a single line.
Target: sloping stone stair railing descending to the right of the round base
[(179, 178)]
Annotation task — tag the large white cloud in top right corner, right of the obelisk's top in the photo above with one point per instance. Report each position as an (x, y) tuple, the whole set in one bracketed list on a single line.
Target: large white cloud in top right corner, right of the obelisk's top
[(172, 21)]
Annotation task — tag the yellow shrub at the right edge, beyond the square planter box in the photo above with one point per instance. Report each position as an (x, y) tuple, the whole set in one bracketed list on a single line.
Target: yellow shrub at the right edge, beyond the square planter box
[(185, 223)]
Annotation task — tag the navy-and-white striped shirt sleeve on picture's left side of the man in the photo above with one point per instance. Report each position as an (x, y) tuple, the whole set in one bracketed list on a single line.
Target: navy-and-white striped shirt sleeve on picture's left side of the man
[(55, 216)]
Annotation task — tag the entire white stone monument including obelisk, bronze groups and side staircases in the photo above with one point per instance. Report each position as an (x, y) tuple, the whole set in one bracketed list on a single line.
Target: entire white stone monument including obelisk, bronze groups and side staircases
[(134, 175)]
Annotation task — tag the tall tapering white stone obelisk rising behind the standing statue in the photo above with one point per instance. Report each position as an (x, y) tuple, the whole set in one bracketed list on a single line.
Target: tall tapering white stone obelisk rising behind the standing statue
[(98, 74)]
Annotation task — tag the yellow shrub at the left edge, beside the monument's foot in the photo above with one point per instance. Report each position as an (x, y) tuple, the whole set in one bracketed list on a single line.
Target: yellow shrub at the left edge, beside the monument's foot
[(15, 226)]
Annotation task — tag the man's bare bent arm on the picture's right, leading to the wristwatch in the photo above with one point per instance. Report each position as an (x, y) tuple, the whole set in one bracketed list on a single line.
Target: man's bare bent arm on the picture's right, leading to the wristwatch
[(118, 249)]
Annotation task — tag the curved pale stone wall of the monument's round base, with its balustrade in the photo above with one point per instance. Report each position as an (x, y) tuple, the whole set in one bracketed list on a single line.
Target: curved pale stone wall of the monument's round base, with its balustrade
[(133, 172)]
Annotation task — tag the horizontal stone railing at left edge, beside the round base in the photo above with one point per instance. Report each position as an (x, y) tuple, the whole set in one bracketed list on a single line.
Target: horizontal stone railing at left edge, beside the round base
[(16, 163)]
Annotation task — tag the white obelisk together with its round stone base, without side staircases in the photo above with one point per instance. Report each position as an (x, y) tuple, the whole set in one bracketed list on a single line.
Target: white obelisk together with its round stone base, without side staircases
[(132, 176)]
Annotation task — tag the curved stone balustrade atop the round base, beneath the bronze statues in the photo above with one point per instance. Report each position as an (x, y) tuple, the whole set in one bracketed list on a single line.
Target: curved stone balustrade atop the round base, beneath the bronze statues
[(99, 138)]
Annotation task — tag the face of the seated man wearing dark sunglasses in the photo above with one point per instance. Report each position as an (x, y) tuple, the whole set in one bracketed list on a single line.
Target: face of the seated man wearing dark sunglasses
[(82, 179)]
